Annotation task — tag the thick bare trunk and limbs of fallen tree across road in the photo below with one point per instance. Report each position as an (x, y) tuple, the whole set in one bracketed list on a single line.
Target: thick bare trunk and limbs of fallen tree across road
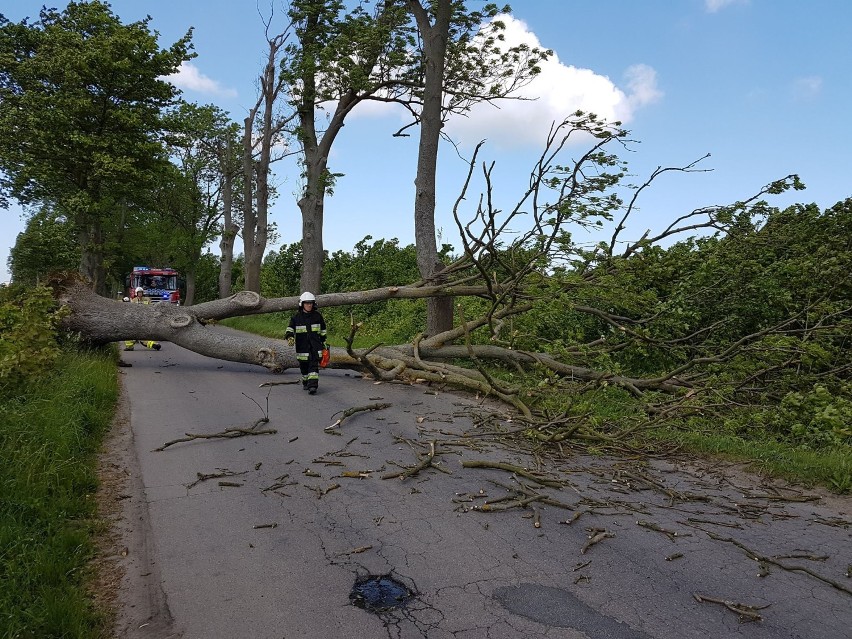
[(101, 320)]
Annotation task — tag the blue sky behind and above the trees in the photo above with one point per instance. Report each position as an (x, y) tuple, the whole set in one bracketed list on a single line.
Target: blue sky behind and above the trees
[(764, 86)]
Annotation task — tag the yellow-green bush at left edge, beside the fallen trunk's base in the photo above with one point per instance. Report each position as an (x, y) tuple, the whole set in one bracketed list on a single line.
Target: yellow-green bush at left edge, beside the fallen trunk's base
[(28, 336)]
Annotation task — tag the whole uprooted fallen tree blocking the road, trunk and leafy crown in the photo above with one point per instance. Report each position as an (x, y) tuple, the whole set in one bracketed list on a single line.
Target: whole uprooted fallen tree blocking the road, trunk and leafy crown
[(631, 324)]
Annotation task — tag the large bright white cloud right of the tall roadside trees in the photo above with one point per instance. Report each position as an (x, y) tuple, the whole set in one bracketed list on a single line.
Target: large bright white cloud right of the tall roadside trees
[(554, 94)]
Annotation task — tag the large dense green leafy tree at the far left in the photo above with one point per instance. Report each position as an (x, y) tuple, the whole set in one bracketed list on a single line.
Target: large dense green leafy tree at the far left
[(85, 92)]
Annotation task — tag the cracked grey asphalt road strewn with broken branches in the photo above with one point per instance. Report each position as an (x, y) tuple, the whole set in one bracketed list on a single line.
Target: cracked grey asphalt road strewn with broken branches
[(265, 536)]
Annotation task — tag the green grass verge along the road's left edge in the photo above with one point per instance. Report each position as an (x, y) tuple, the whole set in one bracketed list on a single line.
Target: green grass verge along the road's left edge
[(48, 446)]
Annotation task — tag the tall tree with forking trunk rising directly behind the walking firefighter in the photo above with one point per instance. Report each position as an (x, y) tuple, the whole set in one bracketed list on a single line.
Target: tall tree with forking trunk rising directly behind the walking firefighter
[(339, 59)]
